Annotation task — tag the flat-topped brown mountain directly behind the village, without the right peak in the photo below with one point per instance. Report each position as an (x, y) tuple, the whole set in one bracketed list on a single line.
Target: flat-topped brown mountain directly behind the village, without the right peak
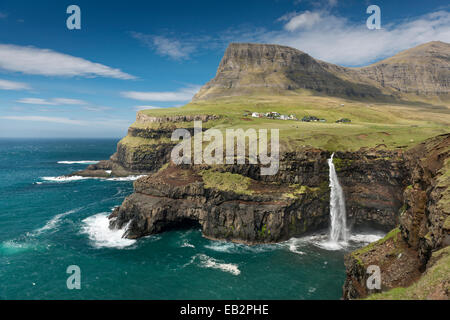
[(259, 68)]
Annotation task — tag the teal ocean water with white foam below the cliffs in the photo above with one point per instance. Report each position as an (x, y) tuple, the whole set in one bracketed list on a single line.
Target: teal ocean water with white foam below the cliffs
[(48, 223)]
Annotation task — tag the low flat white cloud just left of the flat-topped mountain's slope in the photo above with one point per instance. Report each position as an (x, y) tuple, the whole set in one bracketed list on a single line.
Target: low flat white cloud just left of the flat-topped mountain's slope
[(184, 94)]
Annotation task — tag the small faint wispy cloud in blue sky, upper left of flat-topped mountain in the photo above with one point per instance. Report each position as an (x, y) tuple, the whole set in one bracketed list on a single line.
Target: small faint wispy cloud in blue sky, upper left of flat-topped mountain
[(166, 46)]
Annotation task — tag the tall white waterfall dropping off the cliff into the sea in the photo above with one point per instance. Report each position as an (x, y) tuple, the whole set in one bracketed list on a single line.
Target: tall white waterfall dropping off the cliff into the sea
[(338, 228)]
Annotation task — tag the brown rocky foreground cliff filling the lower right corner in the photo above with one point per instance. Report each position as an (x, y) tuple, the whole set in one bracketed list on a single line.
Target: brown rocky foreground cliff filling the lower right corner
[(405, 254)]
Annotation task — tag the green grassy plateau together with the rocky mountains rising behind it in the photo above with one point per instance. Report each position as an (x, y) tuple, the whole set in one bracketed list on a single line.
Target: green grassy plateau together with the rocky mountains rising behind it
[(395, 103)]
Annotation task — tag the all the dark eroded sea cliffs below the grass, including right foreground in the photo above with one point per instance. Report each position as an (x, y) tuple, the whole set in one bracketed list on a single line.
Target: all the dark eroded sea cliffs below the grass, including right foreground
[(406, 191)]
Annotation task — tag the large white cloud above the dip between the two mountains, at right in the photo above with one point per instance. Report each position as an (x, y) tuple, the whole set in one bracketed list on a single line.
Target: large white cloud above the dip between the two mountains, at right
[(335, 39)]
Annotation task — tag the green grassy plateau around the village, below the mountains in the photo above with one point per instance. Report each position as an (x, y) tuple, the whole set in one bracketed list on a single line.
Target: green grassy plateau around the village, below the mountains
[(396, 125)]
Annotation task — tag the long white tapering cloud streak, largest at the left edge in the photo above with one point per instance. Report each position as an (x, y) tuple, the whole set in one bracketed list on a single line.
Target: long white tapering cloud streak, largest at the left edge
[(31, 60)]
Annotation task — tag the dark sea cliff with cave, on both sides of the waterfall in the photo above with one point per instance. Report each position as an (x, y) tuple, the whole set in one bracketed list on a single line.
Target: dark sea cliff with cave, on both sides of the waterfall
[(236, 203)]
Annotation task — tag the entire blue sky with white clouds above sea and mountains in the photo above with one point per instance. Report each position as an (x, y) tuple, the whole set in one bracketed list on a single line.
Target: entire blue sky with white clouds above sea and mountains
[(56, 82)]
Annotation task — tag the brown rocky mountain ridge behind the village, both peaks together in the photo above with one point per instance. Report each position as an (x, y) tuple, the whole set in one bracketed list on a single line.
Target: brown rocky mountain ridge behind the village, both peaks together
[(272, 69)]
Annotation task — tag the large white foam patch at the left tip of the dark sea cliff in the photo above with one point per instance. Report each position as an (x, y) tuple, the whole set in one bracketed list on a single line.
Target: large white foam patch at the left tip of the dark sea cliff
[(98, 231)]
